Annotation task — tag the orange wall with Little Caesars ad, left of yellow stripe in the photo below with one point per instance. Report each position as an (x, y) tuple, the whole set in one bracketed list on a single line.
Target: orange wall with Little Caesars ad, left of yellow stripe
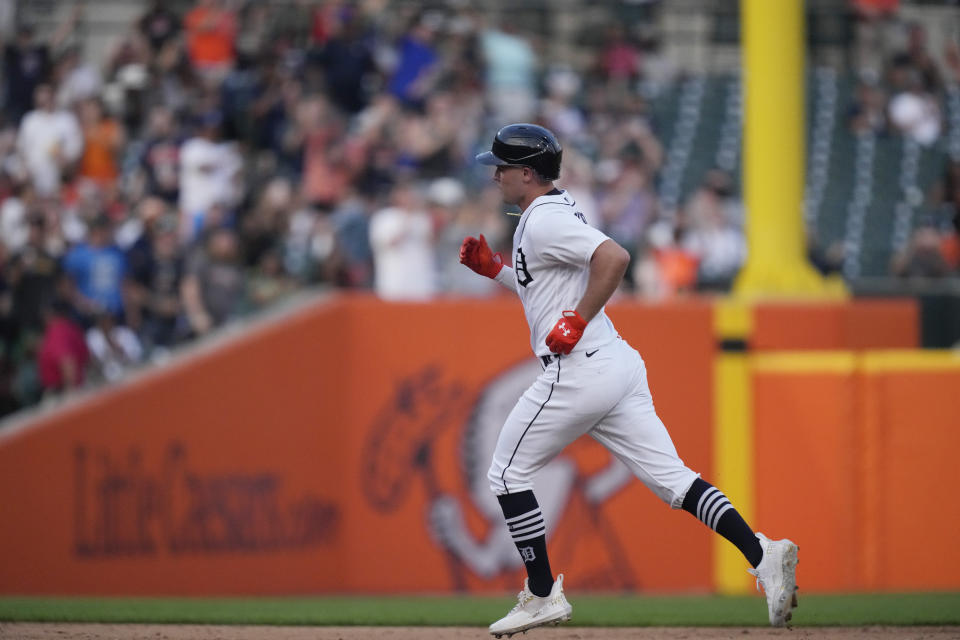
[(309, 455)]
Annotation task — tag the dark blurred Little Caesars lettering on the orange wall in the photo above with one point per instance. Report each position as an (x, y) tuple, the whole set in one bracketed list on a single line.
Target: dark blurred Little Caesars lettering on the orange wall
[(123, 508)]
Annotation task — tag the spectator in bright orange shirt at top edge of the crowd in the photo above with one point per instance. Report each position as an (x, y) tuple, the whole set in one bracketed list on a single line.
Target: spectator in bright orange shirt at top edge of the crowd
[(211, 31)]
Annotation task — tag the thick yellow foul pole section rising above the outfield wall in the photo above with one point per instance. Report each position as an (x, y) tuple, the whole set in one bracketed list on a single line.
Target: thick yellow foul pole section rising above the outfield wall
[(773, 67)]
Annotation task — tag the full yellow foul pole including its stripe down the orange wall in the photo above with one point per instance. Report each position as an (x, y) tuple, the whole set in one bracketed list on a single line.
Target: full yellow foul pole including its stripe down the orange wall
[(774, 158)]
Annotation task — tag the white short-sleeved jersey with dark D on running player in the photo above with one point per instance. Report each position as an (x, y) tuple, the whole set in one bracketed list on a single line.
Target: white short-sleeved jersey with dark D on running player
[(552, 248)]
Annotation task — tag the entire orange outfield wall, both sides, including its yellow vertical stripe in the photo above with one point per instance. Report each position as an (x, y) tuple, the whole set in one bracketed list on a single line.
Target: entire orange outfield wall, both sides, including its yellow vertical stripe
[(323, 451)]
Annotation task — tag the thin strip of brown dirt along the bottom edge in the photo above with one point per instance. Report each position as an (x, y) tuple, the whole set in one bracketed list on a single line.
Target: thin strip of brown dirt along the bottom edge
[(56, 631)]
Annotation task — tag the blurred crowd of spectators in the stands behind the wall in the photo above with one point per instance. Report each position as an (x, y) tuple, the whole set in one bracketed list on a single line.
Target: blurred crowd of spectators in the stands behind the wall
[(226, 156)]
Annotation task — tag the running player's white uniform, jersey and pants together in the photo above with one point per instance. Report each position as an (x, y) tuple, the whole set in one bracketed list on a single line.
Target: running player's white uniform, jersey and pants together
[(599, 389)]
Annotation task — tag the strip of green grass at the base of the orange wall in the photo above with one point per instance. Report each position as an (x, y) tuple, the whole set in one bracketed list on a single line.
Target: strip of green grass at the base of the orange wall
[(589, 610)]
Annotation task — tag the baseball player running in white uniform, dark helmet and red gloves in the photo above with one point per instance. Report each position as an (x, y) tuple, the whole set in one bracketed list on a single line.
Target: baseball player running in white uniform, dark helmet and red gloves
[(592, 382)]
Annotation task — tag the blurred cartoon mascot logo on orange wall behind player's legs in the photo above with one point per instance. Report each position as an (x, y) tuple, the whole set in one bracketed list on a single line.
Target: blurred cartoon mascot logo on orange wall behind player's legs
[(405, 442)]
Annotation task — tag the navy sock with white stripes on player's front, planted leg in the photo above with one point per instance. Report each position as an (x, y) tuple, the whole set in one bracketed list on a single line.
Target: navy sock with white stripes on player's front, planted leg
[(529, 533)]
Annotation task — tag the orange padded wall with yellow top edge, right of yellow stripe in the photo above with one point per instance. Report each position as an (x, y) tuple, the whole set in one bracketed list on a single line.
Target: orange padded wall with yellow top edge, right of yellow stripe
[(855, 461)]
